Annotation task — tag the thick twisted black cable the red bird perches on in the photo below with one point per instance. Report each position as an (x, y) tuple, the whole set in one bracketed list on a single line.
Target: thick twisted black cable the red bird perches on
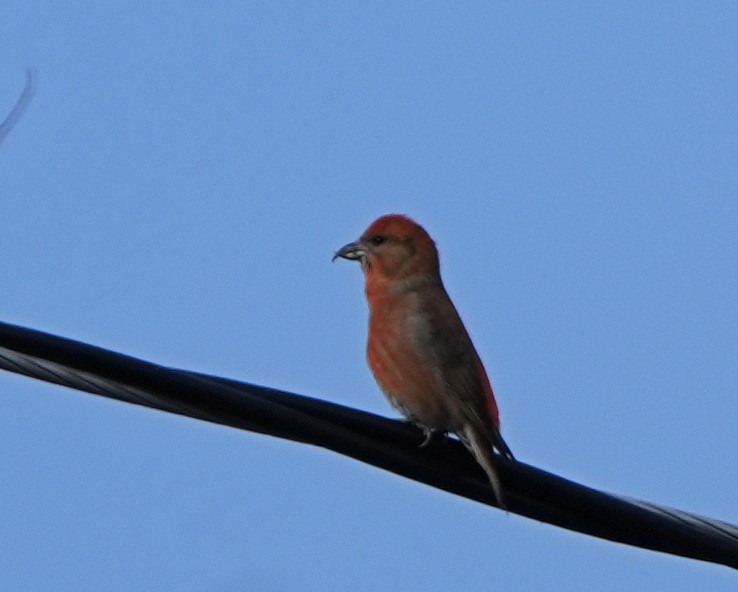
[(388, 444)]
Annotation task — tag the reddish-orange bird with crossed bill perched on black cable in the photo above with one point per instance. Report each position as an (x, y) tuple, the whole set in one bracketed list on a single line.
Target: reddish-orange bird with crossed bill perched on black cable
[(418, 349)]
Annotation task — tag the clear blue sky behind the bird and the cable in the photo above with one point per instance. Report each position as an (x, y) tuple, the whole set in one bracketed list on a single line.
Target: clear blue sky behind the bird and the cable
[(177, 189)]
